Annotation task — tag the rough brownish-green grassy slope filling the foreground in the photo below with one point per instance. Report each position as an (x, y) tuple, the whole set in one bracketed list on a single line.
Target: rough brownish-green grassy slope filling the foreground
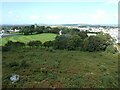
[(61, 68)]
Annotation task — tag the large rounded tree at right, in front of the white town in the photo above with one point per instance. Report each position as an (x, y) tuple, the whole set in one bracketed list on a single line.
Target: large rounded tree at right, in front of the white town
[(97, 43)]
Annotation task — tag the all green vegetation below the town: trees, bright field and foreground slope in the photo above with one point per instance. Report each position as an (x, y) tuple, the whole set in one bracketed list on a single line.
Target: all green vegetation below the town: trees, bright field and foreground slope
[(69, 60)]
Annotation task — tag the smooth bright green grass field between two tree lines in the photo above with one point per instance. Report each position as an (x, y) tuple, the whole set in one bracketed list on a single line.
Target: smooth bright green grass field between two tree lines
[(22, 38)]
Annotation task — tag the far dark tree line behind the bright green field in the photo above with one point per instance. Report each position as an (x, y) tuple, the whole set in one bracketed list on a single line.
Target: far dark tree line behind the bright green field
[(28, 30)]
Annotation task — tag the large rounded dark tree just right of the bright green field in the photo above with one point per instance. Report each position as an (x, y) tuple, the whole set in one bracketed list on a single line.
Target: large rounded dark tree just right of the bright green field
[(67, 41)]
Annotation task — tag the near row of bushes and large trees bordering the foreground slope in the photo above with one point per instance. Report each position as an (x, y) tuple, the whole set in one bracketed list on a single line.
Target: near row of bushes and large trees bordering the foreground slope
[(74, 40)]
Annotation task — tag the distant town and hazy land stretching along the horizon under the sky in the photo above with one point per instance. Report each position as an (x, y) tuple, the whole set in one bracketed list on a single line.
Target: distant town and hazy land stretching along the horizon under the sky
[(8, 30)]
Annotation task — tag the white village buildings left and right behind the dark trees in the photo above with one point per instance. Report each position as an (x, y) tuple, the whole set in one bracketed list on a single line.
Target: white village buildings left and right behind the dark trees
[(113, 31)]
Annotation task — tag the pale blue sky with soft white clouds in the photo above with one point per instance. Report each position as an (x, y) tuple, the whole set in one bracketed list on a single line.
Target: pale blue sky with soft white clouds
[(84, 12)]
